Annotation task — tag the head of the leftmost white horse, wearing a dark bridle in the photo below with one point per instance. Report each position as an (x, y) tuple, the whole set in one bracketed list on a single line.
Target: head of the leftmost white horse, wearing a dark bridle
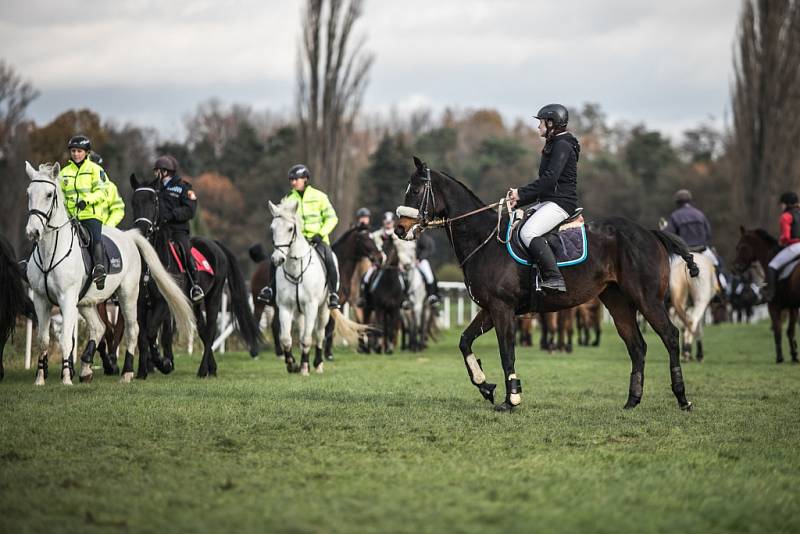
[(44, 199)]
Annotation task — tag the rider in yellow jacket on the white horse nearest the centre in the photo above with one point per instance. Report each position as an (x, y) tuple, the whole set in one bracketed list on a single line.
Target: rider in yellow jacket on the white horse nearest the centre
[(319, 219)]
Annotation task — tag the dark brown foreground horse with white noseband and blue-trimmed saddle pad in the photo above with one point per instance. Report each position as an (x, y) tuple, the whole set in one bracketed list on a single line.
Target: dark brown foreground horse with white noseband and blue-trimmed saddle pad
[(628, 267)]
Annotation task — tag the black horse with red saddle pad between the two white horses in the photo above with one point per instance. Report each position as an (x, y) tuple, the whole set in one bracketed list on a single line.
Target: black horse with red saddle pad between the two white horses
[(153, 312)]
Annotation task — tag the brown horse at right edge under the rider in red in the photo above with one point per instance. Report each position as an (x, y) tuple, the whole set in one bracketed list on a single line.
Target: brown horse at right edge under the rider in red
[(759, 246)]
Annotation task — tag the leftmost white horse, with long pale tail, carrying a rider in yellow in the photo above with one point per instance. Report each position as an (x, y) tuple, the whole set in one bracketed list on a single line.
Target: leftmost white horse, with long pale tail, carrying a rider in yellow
[(57, 275)]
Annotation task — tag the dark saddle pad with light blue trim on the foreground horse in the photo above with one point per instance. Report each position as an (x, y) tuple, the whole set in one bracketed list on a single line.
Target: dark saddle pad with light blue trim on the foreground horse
[(567, 240)]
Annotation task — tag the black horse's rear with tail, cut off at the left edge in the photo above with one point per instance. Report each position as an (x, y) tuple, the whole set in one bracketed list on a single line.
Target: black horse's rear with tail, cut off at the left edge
[(14, 299)]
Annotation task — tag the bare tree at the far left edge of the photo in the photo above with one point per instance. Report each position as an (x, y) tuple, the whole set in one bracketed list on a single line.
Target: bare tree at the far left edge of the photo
[(15, 96)]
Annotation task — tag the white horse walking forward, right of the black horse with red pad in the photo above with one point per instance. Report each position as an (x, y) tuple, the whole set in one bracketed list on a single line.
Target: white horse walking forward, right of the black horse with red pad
[(300, 291)]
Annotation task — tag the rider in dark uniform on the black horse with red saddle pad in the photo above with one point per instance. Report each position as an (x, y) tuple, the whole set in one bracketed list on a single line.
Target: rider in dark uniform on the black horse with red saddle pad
[(177, 205)]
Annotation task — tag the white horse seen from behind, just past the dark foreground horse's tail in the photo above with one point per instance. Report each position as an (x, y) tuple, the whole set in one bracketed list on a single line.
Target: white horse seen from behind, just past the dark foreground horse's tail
[(701, 290)]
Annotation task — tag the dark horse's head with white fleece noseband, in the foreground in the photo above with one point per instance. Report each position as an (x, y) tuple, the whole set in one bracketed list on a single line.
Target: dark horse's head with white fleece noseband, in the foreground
[(419, 205)]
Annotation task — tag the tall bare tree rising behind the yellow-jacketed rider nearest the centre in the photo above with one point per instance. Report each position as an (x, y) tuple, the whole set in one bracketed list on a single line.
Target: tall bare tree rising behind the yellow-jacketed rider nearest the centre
[(332, 75)]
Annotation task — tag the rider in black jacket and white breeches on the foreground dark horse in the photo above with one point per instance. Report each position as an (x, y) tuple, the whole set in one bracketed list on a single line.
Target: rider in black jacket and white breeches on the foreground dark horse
[(555, 192)]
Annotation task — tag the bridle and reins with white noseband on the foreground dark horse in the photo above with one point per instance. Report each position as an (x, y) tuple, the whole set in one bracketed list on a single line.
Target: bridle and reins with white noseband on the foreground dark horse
[(424, 212)]
